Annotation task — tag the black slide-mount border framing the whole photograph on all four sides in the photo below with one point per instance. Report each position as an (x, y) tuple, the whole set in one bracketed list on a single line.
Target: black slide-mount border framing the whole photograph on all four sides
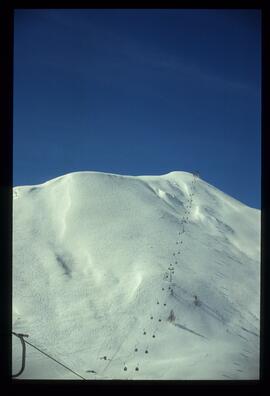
[(6, 183)]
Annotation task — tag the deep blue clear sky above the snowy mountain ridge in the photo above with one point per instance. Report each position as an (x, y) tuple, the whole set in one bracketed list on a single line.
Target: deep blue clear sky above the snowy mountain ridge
[(139, 92)]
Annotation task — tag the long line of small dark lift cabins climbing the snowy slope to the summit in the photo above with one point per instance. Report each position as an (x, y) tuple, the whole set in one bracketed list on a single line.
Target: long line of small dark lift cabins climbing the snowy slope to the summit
[(167, 288)]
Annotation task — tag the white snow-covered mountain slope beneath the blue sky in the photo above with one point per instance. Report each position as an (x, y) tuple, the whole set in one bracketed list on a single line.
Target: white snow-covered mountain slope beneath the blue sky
[(100, 261)]
